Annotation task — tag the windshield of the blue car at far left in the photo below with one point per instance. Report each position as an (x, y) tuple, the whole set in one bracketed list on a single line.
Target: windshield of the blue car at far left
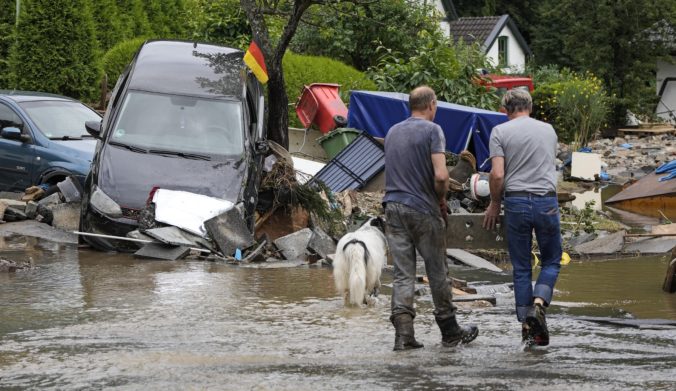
[(60, 119)]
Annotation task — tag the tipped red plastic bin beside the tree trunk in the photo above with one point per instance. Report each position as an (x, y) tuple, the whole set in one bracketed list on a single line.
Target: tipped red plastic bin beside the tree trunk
[(320, 104)]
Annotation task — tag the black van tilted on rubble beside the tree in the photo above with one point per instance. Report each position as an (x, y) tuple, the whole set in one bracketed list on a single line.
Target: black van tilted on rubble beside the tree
[(183, 116)]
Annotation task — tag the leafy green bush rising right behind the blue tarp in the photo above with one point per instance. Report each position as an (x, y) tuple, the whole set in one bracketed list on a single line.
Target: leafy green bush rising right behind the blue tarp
[(448, 68)]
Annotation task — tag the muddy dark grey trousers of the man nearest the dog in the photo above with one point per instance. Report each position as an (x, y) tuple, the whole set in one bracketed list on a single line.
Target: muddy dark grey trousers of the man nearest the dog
[(407, 231)]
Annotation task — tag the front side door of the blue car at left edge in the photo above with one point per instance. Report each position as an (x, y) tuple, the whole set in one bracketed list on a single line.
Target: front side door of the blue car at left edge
[(16, 156)]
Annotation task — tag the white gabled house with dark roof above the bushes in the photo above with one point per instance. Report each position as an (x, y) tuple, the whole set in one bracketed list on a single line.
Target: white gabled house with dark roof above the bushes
[(499, 37)]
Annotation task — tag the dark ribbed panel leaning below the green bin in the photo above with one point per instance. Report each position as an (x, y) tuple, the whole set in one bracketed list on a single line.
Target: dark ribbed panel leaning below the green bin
[(354, 166)]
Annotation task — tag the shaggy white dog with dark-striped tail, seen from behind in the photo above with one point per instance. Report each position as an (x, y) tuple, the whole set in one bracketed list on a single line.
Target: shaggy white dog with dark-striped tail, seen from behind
[(360, 257)]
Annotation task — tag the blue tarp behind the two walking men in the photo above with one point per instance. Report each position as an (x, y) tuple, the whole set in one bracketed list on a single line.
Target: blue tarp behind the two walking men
[(376, 112)]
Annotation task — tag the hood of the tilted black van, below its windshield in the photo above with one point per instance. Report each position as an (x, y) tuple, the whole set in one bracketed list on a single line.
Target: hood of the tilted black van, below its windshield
[(127, 177)]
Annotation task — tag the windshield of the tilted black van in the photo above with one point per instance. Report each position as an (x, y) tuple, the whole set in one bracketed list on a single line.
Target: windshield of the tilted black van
[(162, 122)]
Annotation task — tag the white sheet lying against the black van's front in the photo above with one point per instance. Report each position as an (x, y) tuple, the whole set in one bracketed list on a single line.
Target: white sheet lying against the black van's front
[(187, 210)]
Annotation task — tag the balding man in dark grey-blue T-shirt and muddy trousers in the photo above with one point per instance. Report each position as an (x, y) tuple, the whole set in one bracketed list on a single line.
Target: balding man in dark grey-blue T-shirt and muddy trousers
[(416, 182)]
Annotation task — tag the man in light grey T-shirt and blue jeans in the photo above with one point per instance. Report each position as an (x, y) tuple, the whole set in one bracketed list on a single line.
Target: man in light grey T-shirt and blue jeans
[(523, 155)]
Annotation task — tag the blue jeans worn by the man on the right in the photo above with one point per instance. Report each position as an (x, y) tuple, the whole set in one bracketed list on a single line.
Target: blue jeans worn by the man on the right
[(523, 215)]
